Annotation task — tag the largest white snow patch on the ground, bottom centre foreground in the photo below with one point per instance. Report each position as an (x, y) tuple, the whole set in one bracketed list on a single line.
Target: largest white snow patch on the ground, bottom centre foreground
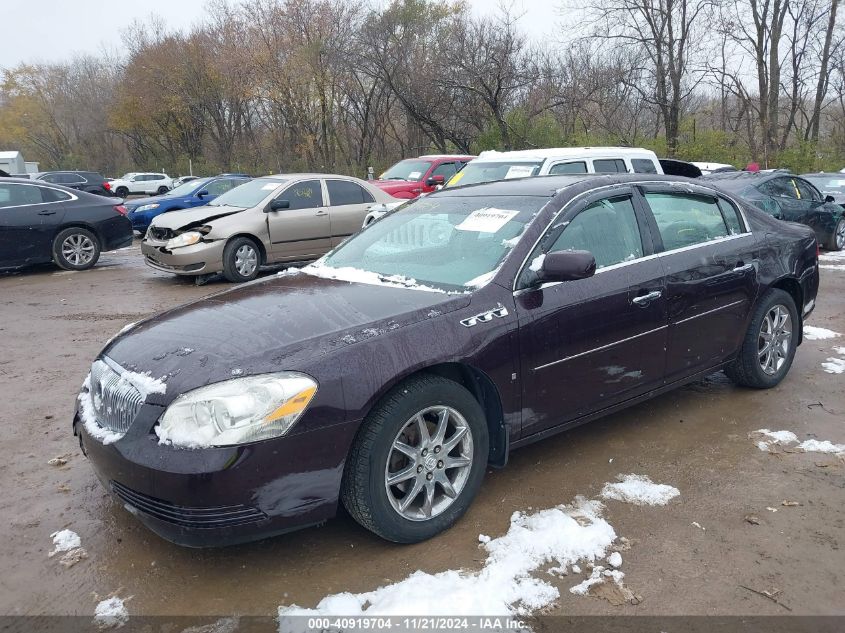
[(503, 587)]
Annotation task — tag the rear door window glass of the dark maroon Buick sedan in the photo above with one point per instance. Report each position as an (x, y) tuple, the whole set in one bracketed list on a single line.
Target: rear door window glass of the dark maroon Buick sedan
[(686, 219)]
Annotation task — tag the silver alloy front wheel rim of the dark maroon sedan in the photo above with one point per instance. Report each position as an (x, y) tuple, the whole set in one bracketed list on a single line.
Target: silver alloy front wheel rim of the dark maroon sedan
[(429, 463)]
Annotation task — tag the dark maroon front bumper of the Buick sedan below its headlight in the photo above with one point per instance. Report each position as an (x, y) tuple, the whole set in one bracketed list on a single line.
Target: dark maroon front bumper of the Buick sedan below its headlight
[(221, 496)]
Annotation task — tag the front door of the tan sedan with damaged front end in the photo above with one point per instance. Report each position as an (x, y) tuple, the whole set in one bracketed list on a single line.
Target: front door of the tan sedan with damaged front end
[(303, 229)]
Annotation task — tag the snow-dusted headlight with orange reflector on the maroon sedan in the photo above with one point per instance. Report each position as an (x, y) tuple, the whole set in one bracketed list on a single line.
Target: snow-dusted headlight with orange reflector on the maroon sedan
[(236, 411)]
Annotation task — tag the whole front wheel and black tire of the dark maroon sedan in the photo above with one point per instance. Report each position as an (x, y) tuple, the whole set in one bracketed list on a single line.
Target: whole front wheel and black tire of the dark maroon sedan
[(418, 460)]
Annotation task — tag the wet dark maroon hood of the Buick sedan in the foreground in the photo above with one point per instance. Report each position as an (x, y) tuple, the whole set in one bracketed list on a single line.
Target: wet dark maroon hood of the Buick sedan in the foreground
[(275, 324)]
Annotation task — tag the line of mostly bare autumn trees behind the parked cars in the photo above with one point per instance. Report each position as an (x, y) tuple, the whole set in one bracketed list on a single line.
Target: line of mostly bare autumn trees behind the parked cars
[(267, 86)]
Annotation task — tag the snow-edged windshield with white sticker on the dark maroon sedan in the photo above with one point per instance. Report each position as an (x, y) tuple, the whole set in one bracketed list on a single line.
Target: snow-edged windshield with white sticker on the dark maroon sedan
[(445, 243)]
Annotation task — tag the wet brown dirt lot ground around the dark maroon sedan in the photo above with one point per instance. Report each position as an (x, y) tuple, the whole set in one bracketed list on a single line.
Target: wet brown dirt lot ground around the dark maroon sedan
[(54, 323)]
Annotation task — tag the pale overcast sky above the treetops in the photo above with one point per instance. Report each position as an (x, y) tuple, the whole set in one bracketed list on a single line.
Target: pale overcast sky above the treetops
[(56, 30)]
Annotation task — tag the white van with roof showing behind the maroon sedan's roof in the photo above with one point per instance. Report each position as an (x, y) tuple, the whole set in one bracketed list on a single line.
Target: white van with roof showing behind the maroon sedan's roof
[(493, 165)]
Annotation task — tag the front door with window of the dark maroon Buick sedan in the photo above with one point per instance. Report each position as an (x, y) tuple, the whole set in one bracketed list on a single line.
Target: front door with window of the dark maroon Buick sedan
[(592, 343)]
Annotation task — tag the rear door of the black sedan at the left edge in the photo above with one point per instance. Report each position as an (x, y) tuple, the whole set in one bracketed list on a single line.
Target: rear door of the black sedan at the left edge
[(29, 218)]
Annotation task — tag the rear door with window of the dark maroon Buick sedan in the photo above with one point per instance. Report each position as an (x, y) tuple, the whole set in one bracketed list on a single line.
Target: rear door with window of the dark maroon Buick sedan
[(711, 260)]
